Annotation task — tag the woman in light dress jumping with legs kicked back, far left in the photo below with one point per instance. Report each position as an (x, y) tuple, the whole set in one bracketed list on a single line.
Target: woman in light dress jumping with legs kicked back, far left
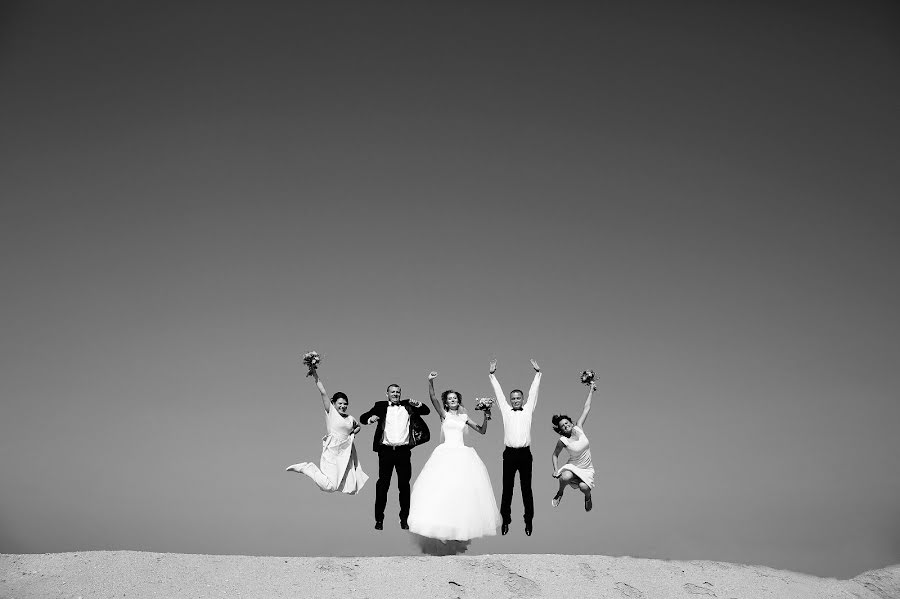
[(339, 468)]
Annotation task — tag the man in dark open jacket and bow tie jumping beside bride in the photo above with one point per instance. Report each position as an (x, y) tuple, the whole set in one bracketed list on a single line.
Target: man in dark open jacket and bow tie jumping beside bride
[(399, 428)]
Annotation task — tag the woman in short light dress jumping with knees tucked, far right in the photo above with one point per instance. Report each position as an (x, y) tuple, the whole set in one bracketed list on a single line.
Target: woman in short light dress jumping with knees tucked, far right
[(578, 472)]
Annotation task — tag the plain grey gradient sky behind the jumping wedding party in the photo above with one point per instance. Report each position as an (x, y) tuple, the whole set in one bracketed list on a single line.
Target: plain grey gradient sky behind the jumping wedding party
[(696, 201)]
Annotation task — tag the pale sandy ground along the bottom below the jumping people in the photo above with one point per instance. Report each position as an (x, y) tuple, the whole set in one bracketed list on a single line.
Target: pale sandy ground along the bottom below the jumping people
[(107, 574)]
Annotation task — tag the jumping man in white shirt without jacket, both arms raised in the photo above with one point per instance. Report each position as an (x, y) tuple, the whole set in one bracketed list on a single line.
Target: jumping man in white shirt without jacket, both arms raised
[(516, 412)]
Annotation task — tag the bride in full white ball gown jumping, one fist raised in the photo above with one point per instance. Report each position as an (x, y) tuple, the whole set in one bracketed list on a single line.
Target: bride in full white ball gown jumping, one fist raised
[(452, 499)]
